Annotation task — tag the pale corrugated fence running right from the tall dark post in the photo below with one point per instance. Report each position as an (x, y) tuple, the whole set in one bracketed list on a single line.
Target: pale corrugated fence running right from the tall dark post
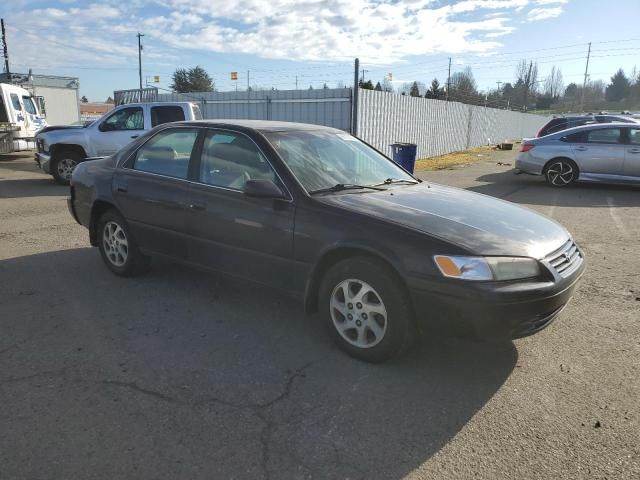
[(437, 126)]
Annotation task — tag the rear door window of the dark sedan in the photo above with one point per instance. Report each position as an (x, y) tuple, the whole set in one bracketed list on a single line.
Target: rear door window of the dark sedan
[(168, 153)]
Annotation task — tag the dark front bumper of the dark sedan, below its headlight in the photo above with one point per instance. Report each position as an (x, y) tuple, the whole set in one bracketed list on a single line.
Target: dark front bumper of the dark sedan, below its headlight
[(493, 310)]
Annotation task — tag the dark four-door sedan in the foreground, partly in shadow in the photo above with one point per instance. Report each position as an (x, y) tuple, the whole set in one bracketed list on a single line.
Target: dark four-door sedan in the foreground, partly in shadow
[(326, 218)]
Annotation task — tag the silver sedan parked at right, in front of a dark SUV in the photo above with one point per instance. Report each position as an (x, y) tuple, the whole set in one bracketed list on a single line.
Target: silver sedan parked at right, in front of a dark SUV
[(592, 153)]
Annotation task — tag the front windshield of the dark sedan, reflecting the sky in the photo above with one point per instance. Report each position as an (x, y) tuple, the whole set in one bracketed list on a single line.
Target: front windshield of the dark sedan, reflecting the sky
[(323, 159)]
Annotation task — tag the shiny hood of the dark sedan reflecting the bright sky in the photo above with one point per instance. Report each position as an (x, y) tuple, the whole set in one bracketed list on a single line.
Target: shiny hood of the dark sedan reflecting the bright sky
[(481, 224)]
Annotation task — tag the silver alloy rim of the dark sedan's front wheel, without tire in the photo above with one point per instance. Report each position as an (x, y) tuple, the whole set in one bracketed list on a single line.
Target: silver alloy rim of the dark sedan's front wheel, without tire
[(358, 313)]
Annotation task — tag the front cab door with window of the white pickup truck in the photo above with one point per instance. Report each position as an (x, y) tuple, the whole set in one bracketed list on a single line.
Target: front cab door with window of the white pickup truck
[(116, 131)]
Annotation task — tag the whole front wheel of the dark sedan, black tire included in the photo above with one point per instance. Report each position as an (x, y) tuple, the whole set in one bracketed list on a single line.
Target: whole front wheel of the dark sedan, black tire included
[(377, 324)]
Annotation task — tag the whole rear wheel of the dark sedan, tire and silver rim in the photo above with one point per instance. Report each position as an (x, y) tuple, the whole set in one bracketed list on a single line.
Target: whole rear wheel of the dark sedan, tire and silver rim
[(118, 247)]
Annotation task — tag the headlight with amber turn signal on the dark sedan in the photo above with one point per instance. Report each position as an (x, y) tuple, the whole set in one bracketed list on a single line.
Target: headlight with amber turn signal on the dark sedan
[(487, 268)]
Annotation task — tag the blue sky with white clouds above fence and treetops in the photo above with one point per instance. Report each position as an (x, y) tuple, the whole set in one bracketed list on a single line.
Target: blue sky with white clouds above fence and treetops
[(316, 41)]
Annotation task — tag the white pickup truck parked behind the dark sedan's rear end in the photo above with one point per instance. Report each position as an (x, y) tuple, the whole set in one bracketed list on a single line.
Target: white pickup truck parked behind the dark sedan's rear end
[(61, 148)]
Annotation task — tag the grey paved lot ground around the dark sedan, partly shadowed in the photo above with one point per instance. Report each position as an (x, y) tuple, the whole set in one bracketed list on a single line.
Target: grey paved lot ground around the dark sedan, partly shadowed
[(184, 374)]
